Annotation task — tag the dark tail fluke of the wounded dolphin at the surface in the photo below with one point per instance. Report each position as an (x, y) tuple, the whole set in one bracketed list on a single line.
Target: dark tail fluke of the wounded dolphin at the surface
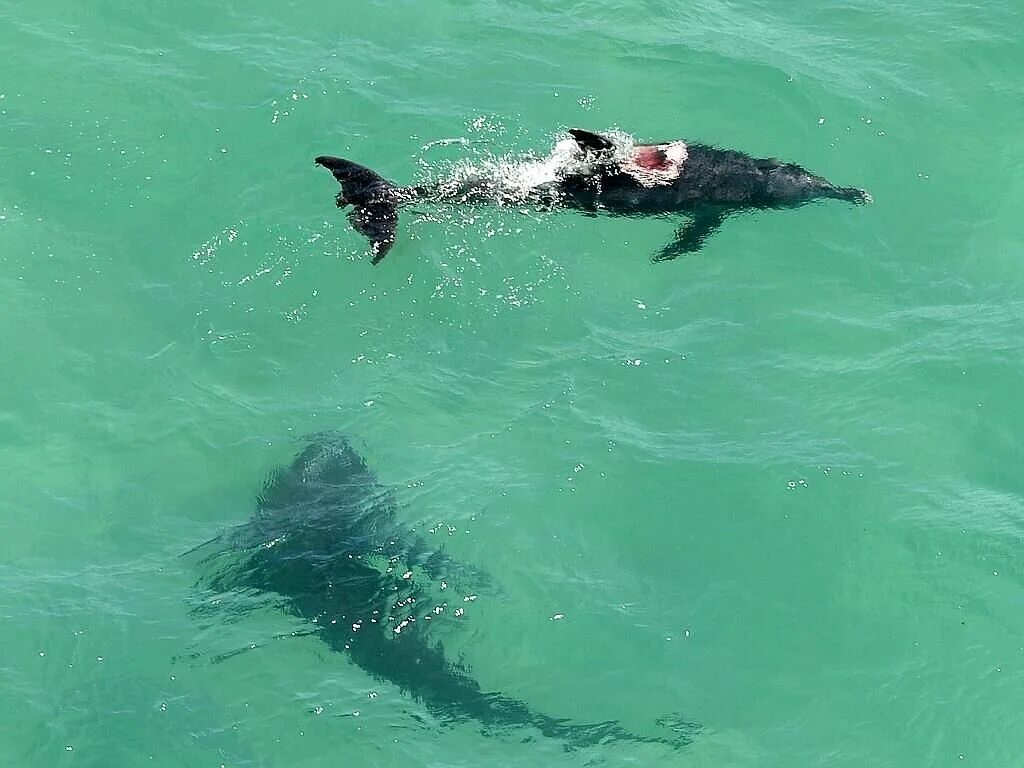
[(374, 200)]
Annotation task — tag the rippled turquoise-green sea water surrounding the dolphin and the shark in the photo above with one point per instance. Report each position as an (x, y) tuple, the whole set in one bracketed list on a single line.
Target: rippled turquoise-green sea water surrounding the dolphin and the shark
[(774, 488)]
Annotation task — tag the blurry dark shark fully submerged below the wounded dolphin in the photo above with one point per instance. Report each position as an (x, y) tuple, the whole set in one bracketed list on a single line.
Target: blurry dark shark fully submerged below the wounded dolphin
[(327, 544)]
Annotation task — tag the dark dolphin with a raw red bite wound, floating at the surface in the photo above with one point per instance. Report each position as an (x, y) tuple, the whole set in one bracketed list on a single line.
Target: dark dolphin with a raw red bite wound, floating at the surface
[(600, 174)]
